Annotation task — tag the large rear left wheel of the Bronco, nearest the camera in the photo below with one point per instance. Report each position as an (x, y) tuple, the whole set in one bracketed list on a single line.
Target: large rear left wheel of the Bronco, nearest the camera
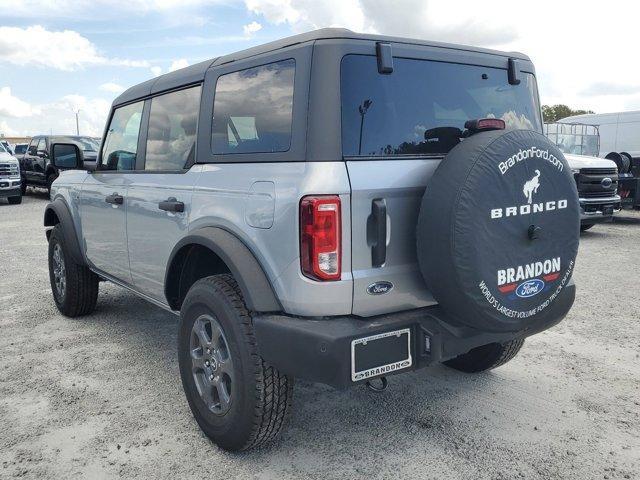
[(237, 399)]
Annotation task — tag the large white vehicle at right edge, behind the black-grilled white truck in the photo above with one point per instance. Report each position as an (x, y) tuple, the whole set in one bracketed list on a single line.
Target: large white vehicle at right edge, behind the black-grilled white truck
[(620, 142)]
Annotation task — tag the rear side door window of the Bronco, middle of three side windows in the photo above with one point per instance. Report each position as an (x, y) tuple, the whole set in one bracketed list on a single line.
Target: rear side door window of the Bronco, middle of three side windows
[(172, 130)]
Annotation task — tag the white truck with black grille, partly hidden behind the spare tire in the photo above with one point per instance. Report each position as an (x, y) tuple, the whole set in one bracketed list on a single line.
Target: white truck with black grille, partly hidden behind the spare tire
[(596, 178)]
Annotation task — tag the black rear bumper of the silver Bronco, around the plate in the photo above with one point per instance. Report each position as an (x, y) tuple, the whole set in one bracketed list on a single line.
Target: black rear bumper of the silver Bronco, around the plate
[(320, 350)]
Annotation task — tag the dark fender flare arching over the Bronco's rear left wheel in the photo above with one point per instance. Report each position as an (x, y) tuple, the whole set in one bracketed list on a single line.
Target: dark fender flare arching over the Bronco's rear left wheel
[(244, 267)]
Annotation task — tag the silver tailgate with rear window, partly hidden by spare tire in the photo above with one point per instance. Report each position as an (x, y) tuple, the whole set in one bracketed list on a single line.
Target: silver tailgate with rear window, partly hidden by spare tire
[(396, 129)]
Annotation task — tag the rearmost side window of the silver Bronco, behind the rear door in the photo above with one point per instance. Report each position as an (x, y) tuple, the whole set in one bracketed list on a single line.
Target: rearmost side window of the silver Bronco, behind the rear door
[(252, 109)]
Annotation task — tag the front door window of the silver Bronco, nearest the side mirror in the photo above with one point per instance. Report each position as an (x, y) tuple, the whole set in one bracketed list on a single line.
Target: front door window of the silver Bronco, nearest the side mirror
[(121, 144)]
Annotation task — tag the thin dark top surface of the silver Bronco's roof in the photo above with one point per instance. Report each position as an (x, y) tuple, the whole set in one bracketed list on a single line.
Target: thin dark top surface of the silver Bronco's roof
[(195, 73)]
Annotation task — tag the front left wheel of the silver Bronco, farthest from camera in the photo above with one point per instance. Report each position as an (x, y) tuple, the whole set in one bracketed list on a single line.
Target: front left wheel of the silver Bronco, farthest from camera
[(74, 286)]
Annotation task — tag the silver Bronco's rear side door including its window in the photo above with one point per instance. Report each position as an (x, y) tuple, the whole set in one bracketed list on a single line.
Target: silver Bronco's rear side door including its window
[(159, 192)]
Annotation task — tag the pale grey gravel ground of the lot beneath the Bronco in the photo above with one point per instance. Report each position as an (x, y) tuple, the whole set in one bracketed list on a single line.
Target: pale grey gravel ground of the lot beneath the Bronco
[(101, 397)]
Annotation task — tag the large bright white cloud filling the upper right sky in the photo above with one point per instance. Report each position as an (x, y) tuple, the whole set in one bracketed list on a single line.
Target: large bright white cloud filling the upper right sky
[(582, 51)]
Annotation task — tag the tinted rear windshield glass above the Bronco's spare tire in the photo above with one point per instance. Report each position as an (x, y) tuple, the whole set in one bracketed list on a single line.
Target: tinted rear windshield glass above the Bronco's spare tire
[(421, 108)]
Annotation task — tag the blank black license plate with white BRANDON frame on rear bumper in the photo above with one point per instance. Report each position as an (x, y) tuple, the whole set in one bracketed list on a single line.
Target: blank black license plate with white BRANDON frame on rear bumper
[(380, 354)]
